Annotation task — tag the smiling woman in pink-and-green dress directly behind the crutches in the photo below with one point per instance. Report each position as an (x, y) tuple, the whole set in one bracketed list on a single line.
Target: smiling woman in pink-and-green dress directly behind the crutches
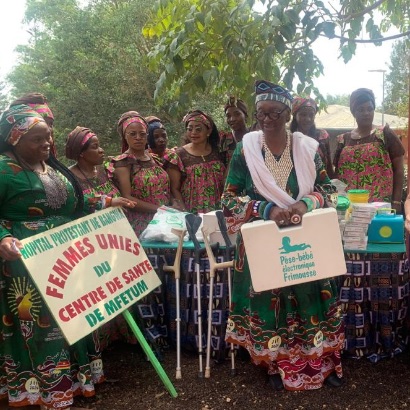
[(196, 170)]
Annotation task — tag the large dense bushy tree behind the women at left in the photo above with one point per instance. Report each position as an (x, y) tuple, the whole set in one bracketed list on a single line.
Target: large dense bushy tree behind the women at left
[(89, 62)]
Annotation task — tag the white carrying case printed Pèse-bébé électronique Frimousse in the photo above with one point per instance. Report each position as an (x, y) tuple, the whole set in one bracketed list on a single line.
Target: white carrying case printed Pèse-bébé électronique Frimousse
[(280, 257)]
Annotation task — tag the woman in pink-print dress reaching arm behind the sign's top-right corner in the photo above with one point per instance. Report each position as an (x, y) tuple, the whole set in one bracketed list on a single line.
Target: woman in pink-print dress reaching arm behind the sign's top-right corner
[(139, 177)]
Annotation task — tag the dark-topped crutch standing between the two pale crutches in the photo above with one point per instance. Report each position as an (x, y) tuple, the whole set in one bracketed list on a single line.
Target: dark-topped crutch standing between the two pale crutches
[(192, 225)]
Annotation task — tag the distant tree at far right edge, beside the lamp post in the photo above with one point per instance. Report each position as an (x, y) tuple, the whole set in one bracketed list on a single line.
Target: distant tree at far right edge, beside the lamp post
[(397, 80)]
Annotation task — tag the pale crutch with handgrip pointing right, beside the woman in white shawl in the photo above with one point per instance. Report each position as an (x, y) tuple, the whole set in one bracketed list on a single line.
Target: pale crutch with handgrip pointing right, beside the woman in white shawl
[(213, 267)]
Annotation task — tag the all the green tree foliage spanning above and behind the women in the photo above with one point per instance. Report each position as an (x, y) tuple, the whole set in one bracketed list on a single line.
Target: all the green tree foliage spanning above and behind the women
[(98, 60)]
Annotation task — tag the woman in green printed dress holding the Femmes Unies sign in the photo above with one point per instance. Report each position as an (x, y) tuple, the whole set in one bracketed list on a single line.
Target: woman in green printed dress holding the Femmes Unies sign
[(37, 193)]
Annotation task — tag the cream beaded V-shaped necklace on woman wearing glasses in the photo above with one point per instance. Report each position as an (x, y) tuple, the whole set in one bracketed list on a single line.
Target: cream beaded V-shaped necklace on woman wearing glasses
[(280, 168)]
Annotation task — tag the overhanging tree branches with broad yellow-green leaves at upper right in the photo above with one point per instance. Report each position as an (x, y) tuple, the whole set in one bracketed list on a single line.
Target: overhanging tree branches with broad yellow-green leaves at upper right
[(224, 45)]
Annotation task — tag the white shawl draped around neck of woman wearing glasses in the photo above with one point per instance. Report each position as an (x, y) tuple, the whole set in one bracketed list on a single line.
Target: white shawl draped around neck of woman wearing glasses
[(304, 149)]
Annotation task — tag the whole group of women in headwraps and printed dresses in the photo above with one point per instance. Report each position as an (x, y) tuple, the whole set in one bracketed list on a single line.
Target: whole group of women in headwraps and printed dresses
[(271, 173)]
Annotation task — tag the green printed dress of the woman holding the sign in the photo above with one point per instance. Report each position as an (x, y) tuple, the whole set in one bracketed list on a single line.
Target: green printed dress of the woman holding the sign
[(37, 366)]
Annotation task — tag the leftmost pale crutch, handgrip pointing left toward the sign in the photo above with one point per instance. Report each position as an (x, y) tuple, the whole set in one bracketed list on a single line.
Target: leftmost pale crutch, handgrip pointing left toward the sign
[(176, 269)]
